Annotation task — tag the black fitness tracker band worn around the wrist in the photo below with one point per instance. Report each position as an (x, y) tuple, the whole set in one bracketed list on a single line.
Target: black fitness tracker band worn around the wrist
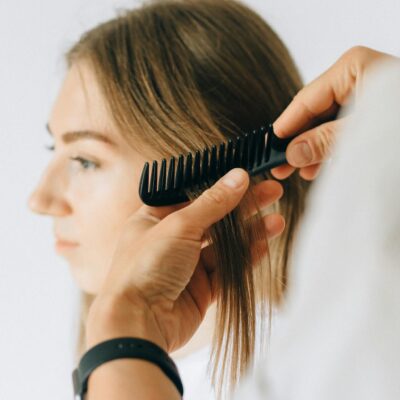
[(124, 347)]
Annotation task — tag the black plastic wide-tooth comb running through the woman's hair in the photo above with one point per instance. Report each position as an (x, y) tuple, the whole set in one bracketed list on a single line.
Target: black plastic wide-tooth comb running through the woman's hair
[(254, 152)]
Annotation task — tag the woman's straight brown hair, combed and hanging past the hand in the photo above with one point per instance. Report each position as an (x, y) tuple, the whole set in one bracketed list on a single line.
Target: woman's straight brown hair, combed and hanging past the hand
[(181, 75)]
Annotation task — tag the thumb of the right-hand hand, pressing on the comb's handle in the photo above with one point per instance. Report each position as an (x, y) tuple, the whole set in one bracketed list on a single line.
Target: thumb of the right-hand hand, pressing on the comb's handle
[(314, 145)]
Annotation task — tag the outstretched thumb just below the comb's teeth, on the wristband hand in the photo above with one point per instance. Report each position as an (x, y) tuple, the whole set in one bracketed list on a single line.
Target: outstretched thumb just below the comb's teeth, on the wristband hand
[(214, 203)]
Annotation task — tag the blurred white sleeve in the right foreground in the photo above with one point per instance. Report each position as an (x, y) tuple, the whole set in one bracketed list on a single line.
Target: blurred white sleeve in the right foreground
[(340, 338)]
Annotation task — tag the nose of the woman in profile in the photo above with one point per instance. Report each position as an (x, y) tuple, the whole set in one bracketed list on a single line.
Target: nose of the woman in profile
[(48, 197)]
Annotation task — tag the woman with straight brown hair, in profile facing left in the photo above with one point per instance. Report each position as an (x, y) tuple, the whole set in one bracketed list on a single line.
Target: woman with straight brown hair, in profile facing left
[(168, 78)]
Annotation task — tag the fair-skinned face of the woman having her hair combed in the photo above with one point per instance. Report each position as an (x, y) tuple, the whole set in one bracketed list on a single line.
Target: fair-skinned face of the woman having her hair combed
[(88, 200)]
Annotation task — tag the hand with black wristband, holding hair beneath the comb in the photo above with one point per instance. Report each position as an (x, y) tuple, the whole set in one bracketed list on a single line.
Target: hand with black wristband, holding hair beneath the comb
[(161, 280)]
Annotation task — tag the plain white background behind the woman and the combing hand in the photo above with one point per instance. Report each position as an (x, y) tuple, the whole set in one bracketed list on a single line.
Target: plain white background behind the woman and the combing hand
[(38, 303)]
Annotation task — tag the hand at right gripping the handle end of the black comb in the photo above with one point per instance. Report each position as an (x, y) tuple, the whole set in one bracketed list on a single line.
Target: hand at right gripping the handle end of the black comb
[(313, 108)]
